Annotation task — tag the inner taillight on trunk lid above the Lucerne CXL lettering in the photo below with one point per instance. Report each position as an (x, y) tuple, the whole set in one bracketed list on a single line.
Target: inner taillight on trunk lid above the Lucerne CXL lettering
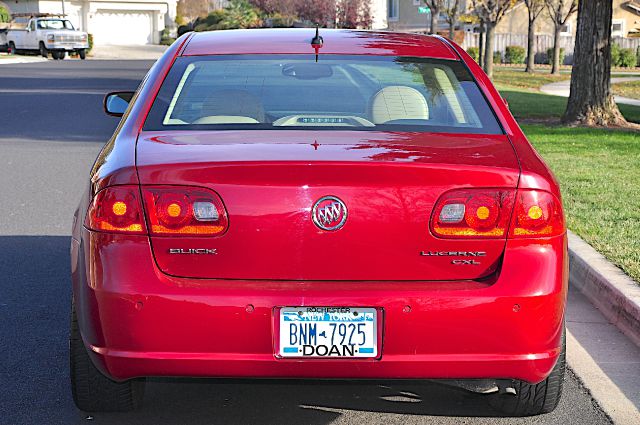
[(473, 213)]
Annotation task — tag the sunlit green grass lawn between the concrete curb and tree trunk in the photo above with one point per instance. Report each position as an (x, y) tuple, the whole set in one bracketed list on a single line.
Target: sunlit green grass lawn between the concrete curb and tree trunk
[(599, 174)]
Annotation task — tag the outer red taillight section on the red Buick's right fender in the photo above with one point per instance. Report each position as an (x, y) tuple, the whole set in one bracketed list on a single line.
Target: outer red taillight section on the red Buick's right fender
[(537, 213)]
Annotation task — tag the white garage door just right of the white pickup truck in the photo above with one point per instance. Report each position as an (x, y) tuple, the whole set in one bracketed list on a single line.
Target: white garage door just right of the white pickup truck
[(122, 27)]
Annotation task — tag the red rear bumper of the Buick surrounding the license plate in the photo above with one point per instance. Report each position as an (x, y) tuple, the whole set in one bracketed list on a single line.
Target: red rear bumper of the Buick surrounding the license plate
[(137, 321)]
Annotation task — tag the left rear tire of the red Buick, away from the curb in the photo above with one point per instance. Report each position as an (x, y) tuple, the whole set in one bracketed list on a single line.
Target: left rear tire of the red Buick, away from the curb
[(92, 391)]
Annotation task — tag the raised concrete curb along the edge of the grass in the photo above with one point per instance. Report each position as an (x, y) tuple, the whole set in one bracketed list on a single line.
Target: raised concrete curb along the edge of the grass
[(615, 294)]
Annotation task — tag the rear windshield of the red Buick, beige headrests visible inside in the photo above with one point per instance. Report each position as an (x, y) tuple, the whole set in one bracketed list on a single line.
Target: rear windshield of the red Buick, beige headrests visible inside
[(337, 92)]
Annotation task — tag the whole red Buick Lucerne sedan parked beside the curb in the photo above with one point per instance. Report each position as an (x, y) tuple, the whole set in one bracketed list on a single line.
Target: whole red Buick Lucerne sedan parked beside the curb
[(348, 204)]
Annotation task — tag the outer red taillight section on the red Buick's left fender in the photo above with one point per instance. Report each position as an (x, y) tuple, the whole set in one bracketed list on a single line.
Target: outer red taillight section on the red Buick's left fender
[(116, 209)]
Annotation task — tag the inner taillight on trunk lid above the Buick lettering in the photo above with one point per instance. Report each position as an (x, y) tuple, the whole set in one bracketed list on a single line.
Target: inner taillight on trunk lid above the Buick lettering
[(182, 210)]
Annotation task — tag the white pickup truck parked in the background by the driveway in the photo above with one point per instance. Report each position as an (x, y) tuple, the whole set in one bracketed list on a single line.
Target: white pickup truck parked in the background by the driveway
[(48, 35)]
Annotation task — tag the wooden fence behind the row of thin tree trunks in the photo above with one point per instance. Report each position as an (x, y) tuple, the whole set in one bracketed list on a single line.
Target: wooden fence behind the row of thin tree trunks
[(542, 43)]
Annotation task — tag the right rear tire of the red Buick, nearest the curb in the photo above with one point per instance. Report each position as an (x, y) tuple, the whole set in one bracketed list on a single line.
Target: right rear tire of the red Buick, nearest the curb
[(534, 399)]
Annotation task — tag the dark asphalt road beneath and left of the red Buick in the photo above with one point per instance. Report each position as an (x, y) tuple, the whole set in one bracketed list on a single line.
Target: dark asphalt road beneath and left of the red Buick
[(51, 128)]
